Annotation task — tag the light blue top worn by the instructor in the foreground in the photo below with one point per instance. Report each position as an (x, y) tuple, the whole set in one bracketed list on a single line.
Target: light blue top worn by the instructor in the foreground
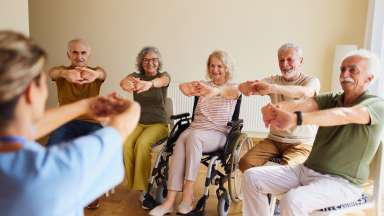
[(62, 179)]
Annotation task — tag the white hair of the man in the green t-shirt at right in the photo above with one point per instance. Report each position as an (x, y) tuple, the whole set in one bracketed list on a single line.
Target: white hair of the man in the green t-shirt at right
[(374, 65)]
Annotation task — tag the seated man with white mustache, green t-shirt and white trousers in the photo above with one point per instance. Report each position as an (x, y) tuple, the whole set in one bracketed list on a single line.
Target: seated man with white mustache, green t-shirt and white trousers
[(350, 125)]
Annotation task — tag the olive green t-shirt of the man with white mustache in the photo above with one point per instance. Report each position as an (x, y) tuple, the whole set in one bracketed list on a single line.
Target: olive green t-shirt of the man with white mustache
[(347, 150)]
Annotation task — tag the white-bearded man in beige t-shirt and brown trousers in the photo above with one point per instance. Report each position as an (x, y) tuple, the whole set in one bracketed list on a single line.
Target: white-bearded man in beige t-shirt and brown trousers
[(293, 145)]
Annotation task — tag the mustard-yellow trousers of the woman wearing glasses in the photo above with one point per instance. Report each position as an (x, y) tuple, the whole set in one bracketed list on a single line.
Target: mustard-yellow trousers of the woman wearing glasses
[(137, 153)]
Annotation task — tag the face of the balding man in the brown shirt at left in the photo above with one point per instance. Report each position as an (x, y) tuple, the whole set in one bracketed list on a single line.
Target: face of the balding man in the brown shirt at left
[(78, 54)]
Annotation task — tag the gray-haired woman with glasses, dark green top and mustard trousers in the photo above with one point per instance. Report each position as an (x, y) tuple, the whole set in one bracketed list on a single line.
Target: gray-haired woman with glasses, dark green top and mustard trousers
[(149, 87)]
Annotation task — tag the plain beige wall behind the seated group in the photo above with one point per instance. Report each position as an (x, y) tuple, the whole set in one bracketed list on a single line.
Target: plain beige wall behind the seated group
[(187, 31)]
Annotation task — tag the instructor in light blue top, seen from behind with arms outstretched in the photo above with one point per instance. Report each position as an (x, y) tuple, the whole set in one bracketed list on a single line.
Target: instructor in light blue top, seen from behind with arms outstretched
[(62, 179)]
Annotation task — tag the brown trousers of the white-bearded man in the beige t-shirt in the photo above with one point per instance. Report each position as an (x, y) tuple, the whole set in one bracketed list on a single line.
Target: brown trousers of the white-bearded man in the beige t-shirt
[(266, 149)]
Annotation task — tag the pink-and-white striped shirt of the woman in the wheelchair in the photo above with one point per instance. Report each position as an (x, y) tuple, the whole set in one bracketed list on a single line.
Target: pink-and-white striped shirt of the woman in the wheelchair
[(213, 113)]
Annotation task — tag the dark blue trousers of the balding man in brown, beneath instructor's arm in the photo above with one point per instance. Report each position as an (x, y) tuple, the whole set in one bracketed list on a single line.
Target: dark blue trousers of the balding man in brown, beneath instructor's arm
[(72, 130)]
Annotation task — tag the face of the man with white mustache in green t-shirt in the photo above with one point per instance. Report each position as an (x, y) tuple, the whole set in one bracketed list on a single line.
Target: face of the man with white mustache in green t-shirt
[(354, 76)]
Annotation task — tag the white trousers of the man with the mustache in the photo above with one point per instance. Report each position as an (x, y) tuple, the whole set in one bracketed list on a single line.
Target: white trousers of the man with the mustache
[(305, 190)]
